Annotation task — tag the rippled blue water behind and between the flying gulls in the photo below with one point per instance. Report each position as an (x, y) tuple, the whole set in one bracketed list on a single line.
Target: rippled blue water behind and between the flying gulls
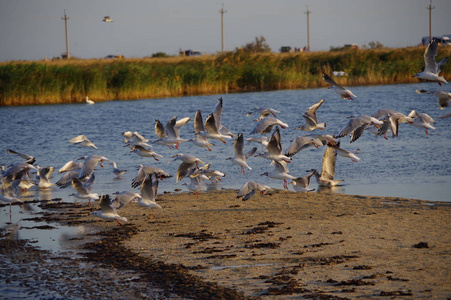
[(413, 165)]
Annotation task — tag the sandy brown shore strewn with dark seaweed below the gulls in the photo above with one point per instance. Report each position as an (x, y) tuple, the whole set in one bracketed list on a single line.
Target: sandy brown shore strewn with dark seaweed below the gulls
[(278, 246)]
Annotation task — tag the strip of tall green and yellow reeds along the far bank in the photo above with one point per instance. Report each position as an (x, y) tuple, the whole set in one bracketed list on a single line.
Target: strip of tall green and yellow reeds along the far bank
[(27, 83)]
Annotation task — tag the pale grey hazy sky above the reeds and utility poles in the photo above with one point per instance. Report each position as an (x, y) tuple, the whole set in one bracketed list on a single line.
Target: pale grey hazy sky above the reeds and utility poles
[(34, 29)]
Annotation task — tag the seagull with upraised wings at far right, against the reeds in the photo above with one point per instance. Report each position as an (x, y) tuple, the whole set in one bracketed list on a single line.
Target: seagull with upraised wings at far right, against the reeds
[(432, 68)]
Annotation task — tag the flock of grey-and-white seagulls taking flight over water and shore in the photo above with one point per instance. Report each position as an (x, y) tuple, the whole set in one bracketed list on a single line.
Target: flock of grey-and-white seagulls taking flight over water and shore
[(80, 174)]
